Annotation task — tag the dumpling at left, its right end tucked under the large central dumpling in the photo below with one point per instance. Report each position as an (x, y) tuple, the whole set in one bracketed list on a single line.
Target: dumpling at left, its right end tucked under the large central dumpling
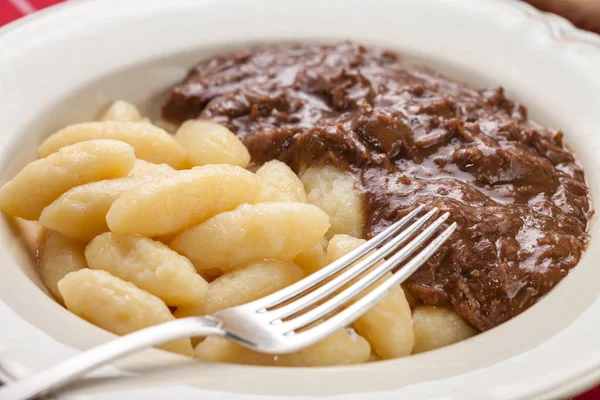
[(80, 212)]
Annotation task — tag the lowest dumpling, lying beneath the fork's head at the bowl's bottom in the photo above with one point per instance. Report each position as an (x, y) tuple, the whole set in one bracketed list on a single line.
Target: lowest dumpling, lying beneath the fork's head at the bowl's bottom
[(340, 348)]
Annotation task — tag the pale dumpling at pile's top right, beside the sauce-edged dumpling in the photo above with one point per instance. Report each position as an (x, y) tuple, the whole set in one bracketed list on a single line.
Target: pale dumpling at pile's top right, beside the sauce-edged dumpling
[(286, 186)]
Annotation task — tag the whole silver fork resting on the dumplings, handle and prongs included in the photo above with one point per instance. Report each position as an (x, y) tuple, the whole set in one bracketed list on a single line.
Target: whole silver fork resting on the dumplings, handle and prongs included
[(274, 324)]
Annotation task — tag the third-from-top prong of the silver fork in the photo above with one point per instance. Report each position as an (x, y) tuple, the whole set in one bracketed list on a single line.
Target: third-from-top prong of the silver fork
[(355, 289)]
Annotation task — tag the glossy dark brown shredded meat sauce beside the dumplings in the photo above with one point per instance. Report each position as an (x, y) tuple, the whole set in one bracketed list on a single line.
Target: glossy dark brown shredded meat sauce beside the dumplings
[(413, 137)]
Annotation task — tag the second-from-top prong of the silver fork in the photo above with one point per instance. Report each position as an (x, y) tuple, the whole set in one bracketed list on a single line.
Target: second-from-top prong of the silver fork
[(351, 273)]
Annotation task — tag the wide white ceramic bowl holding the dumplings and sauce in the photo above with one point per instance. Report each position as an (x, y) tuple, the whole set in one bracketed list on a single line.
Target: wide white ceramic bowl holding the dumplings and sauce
[(62, 65)]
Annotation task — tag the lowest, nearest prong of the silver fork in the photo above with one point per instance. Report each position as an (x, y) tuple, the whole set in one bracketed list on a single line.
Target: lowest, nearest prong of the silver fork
[(354, 311)]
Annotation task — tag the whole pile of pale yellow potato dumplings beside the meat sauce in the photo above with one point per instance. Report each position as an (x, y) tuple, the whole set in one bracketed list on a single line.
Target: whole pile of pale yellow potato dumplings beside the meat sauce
[(136, 222)]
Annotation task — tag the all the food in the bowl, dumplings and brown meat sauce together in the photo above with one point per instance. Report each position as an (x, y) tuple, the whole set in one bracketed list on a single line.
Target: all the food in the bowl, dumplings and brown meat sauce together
[(284, 158)]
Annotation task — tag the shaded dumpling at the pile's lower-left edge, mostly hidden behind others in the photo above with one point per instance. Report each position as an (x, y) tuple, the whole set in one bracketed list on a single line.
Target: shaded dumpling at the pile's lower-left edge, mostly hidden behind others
[(58, 255)]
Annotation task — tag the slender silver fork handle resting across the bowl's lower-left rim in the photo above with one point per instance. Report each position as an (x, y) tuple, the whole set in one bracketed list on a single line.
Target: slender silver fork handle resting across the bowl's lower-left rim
[(72, 368)]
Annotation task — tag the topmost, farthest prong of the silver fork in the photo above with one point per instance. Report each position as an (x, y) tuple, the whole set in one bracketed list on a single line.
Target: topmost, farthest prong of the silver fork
[(333, 268)]
